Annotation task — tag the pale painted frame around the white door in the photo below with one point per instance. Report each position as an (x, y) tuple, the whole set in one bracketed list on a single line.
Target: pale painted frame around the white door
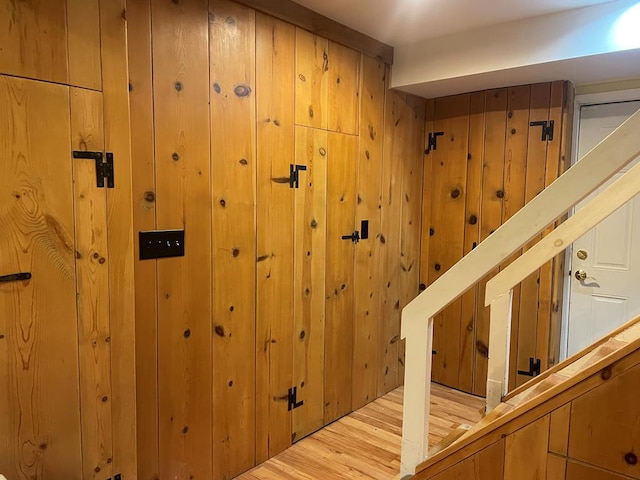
[(580, 101)]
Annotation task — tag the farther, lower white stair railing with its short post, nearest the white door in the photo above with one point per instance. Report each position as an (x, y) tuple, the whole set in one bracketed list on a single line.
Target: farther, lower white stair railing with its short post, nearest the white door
[(500, 288)]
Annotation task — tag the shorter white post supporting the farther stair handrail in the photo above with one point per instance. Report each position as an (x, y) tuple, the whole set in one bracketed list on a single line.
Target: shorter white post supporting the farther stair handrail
[(499, 340)]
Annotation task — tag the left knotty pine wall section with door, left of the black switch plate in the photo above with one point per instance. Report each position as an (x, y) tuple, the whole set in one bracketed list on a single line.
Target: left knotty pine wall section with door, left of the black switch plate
[(68, 410)]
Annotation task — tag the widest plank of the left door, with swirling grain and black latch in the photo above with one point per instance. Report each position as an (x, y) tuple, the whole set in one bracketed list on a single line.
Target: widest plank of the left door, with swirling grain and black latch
[(39, 415)]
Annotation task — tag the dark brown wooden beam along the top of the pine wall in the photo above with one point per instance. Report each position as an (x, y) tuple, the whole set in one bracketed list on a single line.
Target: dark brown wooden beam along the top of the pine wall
[(303, 17)]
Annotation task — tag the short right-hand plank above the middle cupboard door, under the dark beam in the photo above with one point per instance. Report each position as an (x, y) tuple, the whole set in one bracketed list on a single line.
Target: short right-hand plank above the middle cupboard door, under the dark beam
[(344, 89)]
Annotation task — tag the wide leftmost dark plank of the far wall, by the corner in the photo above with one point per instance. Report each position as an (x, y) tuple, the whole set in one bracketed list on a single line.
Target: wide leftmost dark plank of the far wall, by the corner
[(449, 178)]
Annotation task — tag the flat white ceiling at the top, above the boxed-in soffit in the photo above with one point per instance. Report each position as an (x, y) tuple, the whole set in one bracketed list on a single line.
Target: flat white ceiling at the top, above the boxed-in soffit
[(400, 22)]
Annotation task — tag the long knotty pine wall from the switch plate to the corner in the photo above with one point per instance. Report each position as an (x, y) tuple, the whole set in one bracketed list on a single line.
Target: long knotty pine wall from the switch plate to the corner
[(268, 297)]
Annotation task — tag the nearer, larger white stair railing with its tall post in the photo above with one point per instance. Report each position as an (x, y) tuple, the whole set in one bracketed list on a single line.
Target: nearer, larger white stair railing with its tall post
[(595, 168)]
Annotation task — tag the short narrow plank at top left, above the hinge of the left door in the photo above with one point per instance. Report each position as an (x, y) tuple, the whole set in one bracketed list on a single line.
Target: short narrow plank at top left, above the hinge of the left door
[(83, 24)]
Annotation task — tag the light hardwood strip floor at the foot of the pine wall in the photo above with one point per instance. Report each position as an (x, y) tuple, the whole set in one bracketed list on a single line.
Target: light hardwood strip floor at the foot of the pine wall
[(366, 443)]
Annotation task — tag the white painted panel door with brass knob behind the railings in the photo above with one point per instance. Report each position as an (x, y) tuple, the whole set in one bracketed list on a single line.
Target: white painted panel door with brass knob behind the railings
[(609, 254)]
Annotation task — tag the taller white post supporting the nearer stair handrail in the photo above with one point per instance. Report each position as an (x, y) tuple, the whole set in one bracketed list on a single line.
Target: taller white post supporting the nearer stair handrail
[(417, 394)]
